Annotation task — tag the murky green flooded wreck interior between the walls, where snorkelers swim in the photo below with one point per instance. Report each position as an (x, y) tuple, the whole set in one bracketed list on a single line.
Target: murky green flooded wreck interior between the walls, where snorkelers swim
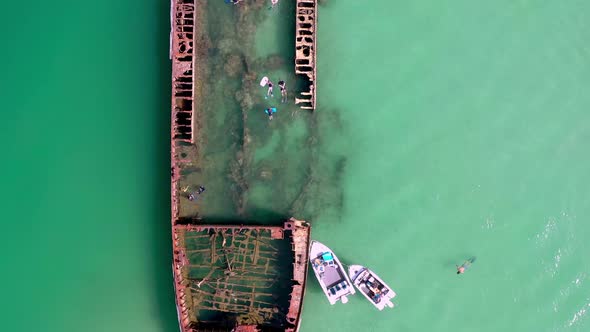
[(251, 167)]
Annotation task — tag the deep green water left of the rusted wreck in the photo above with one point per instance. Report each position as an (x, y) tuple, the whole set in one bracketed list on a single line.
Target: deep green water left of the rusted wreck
[(85, 237)]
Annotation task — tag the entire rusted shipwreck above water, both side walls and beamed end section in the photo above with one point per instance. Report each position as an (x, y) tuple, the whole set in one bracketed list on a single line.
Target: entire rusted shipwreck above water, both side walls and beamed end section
[(231, 277)]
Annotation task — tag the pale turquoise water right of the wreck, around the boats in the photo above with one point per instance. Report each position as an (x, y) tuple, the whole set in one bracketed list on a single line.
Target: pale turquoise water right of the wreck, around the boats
[(466, 127)]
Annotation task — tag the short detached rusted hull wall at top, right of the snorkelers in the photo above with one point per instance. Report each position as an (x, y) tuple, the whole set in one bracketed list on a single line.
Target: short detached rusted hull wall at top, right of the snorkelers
[(305, 49)]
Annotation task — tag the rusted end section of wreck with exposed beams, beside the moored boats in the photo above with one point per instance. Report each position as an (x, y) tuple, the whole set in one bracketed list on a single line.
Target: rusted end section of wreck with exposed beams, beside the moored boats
[(240, 278)]
